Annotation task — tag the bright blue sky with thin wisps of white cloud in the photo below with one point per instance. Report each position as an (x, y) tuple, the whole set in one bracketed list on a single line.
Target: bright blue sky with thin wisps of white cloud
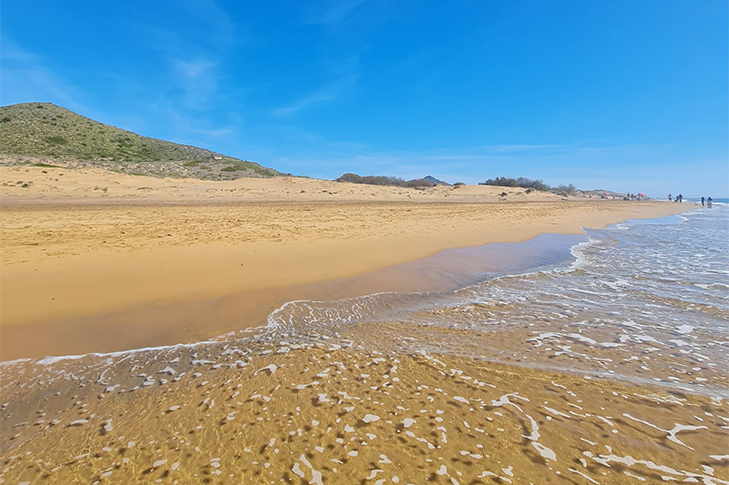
[(625, 95)]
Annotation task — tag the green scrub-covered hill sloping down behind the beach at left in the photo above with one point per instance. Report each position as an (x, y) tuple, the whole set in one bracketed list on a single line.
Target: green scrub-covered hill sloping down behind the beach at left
[(48, 131)]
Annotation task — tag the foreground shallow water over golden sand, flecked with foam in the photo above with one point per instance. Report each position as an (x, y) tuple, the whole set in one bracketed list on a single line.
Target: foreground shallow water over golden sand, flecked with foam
[(318, 413)]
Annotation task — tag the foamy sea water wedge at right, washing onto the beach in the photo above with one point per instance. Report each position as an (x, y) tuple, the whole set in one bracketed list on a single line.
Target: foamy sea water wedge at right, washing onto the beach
[(642, 301)]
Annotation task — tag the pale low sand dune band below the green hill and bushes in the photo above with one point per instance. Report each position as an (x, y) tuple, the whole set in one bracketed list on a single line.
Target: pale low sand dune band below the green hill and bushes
[(42, 186)]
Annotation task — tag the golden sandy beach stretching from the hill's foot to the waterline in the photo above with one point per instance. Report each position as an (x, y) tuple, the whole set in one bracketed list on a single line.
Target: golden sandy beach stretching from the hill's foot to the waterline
[(85, 270)]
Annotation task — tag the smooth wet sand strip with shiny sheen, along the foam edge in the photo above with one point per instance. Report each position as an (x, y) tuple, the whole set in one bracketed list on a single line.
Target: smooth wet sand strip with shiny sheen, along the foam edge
[(194, 321)]
